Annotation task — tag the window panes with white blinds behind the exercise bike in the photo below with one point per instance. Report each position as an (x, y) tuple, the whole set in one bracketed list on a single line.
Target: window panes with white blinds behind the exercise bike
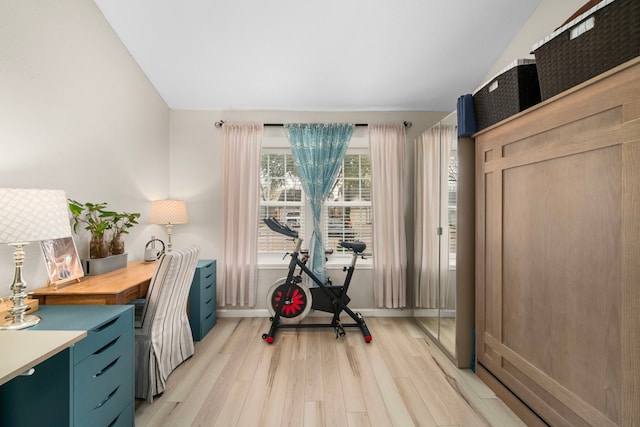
[(347, 210)]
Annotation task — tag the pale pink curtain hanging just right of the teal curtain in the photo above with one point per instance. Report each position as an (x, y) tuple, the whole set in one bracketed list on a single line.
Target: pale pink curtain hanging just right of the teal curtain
[(387, 150)]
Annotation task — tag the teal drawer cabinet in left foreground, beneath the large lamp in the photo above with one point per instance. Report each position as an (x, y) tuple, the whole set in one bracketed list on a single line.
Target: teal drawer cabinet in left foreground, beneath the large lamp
[(89, 384)]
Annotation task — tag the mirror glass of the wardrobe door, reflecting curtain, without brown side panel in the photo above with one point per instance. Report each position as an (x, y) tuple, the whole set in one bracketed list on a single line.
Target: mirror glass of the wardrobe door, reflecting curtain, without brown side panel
[(436, 169)]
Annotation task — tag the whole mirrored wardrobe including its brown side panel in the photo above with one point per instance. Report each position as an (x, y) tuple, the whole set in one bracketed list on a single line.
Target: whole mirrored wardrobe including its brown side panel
[(444, 242)]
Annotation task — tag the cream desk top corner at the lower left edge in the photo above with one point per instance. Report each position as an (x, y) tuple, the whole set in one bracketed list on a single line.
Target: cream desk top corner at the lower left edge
[(22, 350)]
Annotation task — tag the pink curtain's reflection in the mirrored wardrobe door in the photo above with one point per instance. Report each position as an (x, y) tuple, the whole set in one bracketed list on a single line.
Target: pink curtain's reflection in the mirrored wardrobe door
[(431, 251)]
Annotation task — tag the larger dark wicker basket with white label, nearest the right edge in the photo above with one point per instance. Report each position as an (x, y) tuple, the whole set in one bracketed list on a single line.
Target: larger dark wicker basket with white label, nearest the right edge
[(605, 36)]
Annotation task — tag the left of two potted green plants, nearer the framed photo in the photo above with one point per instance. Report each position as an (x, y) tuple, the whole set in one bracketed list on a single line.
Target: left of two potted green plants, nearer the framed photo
[(97, 221)]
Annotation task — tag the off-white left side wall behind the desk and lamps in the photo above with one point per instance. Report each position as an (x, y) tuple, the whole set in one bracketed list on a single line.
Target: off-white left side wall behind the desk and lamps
[(77, 114)]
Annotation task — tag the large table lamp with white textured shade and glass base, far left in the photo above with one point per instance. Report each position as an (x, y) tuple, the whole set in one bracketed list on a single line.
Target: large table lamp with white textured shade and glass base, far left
[(29, 215)]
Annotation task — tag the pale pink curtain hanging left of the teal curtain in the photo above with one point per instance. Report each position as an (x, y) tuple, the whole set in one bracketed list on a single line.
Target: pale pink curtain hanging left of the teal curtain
[(241, 143)]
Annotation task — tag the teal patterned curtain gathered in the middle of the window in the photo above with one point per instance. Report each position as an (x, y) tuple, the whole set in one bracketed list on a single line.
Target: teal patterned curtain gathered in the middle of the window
[(318, 150)]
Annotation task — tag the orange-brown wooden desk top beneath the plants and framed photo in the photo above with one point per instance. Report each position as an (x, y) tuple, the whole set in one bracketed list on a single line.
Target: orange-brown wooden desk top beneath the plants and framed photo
[(116, 287)]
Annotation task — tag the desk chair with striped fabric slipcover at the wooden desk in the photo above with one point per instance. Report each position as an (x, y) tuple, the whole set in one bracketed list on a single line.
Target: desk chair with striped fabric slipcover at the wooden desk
[(162, 335)]
